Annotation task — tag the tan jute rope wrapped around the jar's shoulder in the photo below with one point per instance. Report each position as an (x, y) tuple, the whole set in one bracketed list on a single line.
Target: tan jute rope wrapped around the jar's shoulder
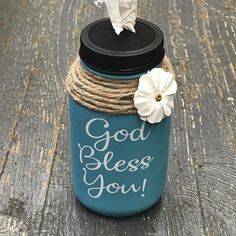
[(101, 94)]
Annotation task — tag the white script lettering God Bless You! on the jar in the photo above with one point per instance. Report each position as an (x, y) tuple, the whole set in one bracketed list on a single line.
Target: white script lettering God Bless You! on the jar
[(97, 184)]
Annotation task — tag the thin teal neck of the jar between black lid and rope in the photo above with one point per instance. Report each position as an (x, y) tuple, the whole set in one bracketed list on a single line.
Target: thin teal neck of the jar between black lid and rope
[(109, 76)]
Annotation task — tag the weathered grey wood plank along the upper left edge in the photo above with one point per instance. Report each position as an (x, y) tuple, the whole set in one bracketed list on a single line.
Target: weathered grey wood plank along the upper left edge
[(15, 67)]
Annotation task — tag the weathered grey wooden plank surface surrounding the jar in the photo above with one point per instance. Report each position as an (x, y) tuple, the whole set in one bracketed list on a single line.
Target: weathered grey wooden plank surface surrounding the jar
[(38, 41)]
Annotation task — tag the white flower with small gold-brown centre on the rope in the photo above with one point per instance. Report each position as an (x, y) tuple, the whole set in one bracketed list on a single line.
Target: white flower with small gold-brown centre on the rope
[(154, 98)]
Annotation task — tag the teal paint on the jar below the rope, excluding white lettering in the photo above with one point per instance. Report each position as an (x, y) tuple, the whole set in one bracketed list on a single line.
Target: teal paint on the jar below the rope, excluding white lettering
[(156, 145)]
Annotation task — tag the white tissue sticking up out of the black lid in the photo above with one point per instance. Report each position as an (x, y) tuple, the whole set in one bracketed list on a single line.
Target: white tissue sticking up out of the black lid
[(122, 13)]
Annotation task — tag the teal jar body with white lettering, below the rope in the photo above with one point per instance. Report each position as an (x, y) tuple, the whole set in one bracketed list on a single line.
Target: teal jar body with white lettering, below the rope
[(119, 162)]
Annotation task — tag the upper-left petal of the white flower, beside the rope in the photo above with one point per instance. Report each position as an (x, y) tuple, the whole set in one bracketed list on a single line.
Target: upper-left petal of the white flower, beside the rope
[(146, 86)]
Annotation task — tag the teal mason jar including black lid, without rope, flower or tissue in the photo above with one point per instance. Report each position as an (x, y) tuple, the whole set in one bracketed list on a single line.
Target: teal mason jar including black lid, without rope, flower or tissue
[(119, 162)]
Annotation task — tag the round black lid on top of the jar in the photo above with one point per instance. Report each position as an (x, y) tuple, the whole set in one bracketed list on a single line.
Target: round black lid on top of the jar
[(128, 53)]
